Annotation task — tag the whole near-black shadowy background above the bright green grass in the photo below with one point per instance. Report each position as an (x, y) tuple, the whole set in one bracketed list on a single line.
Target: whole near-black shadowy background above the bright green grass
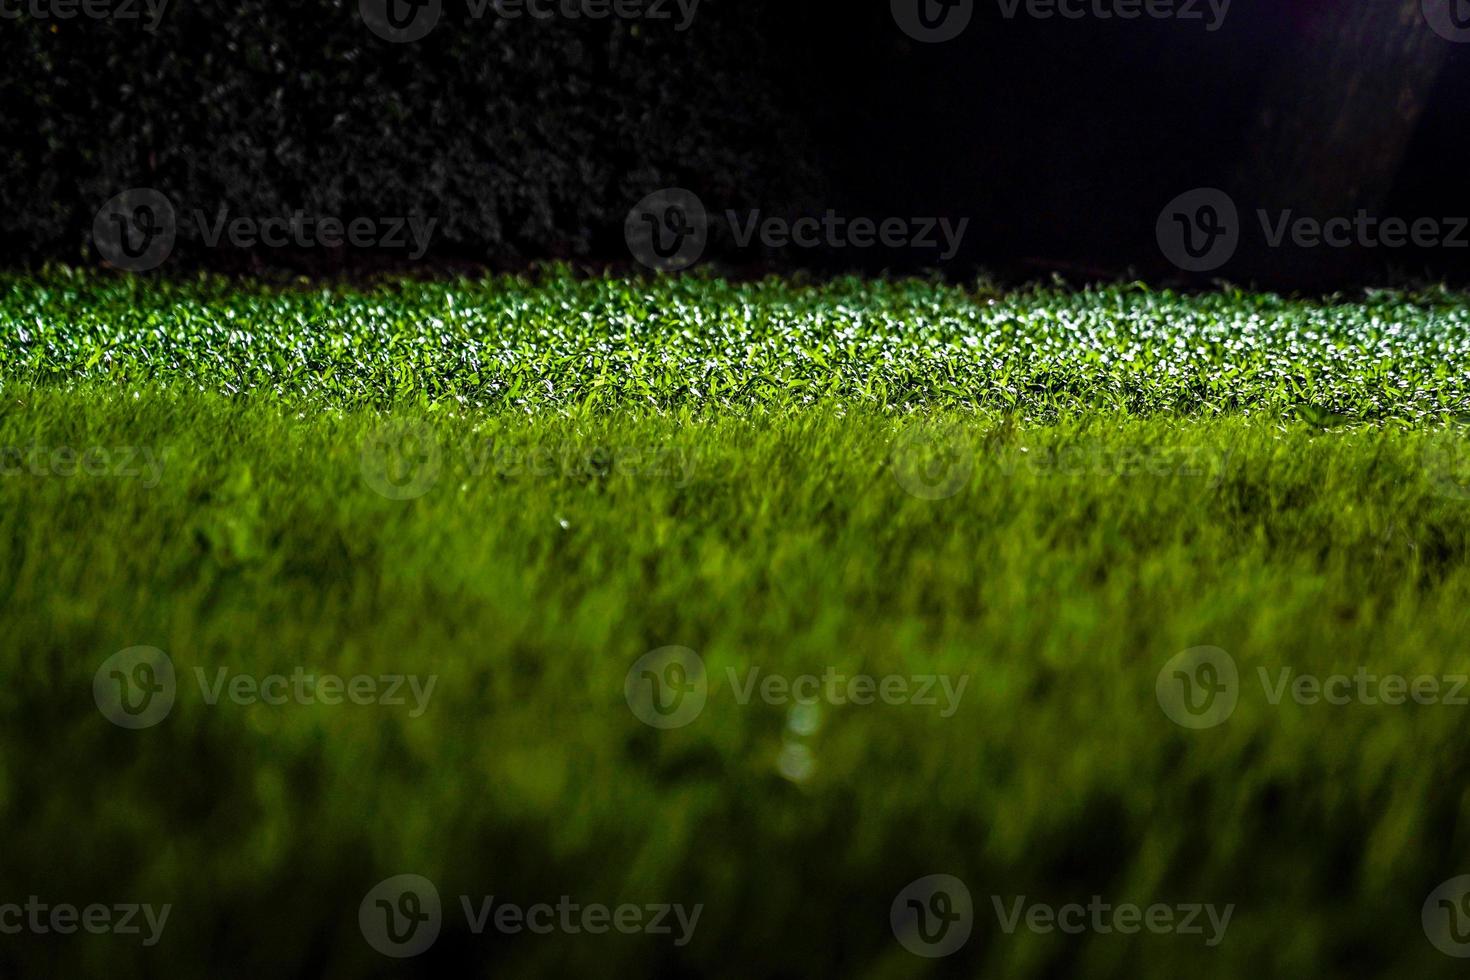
[(1061, 140)]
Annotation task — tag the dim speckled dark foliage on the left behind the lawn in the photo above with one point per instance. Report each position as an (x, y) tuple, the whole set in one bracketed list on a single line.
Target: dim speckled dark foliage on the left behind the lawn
[(524, 139)]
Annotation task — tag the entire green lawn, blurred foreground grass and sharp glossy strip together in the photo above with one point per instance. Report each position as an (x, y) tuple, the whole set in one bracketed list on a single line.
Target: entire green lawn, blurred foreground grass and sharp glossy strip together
[(990, 525)]
